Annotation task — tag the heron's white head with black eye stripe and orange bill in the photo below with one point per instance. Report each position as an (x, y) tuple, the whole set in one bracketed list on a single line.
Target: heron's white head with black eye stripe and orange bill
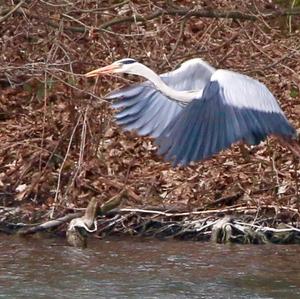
[(126, 65)]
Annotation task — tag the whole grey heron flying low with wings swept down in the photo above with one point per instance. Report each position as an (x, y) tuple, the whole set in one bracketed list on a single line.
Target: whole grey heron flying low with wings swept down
[(196, 110)]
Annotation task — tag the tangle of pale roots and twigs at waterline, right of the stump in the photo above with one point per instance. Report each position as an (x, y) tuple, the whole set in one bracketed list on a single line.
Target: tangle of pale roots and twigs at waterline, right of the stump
[(237, 226)]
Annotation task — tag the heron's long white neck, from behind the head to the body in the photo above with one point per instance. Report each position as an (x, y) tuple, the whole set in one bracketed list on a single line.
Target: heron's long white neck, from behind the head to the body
[(181, 96)]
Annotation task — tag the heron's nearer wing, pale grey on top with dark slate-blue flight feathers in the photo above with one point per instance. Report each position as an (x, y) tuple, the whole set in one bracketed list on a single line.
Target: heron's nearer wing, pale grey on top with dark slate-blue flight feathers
[(233, 107)]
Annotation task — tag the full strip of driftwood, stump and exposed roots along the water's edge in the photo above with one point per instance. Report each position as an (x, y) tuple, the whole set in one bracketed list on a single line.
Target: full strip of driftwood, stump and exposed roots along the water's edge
[(242, 224)]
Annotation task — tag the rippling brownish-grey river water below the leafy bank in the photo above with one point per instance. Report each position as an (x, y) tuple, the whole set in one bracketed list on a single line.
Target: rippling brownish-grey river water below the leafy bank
[(141, 268)]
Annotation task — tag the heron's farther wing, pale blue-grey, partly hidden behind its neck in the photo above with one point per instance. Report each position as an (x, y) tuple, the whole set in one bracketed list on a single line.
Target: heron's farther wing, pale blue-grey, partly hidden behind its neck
[(146, 110)]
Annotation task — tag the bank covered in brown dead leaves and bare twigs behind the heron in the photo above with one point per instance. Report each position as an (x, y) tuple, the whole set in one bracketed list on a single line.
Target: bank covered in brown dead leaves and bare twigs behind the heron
[(60, 146)]
